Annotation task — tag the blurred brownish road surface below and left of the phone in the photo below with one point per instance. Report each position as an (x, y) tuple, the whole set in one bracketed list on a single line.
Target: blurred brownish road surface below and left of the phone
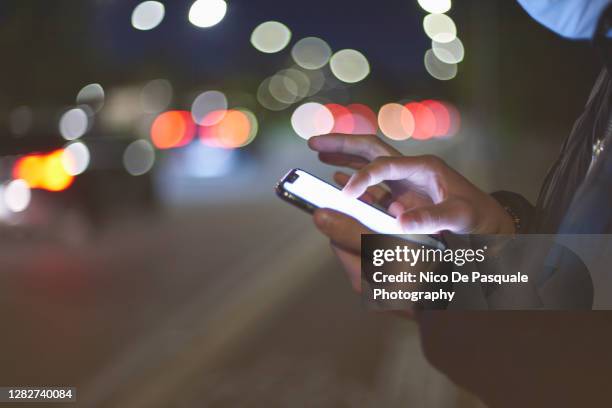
[(179, 310)]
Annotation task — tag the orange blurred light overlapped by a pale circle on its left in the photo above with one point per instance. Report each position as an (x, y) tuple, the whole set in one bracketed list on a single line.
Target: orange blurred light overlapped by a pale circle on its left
[(233, 130)]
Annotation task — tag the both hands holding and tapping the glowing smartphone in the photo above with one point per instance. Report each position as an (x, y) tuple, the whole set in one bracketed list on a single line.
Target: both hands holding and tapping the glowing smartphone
[(424, 193)]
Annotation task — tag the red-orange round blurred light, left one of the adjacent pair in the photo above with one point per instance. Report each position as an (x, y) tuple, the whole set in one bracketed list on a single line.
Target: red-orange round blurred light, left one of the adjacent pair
[(172, 129)]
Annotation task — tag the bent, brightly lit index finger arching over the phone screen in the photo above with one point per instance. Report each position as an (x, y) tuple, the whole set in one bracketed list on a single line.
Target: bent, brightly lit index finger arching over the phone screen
[(425, 173)]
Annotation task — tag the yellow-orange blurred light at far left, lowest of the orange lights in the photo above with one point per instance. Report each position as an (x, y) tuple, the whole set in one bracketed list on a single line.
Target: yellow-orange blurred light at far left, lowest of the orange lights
[(45, 172)]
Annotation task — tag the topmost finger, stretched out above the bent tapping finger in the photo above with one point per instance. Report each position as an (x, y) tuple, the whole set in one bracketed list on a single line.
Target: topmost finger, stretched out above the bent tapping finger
[(367, 147)]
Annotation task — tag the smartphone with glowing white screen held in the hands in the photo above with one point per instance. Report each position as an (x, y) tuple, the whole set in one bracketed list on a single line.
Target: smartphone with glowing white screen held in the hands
[(309, 193)]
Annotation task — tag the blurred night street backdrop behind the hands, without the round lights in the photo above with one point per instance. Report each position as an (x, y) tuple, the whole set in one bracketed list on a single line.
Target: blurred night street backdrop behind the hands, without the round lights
[(175, 290)]
